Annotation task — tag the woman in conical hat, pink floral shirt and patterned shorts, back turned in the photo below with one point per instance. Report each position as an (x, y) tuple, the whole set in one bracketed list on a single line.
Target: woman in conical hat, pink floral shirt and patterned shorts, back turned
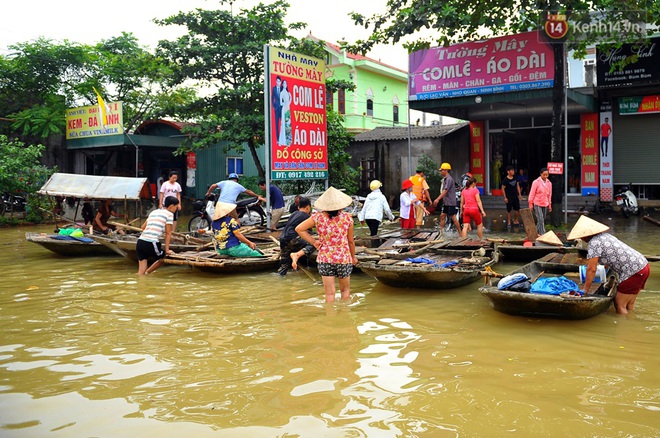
[(335, 244)]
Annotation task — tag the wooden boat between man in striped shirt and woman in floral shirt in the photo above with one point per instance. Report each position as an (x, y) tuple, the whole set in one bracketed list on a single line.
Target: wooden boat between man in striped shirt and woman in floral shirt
[(211, 261)]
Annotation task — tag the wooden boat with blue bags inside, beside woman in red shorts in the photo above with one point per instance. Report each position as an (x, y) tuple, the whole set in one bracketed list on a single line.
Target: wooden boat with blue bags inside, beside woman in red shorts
[(553, 306)]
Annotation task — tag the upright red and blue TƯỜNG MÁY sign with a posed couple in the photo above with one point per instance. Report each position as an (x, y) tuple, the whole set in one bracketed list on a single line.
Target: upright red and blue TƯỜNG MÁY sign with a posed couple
[(297, 128)]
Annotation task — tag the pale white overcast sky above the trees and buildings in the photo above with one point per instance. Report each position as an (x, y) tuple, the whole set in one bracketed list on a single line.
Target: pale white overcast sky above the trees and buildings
[(91, 22)]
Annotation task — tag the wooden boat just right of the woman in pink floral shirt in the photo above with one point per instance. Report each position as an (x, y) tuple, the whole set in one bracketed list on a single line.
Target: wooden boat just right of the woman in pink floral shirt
[(394, 270)]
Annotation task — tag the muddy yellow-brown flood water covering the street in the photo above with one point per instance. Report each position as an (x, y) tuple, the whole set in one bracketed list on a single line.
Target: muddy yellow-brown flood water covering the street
[(89, 349)]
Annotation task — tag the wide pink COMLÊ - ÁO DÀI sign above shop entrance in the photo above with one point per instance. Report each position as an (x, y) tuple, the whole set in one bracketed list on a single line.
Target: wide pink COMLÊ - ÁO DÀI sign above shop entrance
[(511, 63)]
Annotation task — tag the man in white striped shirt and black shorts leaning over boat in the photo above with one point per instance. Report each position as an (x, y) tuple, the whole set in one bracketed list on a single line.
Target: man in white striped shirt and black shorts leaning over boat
[(159, 222)]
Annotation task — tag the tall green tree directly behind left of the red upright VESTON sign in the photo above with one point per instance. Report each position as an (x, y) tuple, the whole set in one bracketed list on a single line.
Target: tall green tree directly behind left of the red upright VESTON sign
[(224, 52)]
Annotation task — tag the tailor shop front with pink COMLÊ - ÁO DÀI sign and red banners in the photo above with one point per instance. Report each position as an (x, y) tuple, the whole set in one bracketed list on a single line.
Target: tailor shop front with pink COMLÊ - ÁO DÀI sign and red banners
[(503, 86)]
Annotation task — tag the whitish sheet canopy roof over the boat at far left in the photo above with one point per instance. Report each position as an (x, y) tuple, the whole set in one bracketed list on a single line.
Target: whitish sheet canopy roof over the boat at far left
[(95, 187)]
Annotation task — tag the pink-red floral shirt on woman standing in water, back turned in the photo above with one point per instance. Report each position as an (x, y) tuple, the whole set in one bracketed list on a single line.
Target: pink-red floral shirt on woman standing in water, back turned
[(333, 234)]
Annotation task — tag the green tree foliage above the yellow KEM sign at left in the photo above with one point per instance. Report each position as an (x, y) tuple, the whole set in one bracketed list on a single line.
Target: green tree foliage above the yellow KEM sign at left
[(40, 79)]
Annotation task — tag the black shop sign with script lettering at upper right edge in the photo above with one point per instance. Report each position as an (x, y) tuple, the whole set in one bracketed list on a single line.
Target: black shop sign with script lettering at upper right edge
[(642, 64)]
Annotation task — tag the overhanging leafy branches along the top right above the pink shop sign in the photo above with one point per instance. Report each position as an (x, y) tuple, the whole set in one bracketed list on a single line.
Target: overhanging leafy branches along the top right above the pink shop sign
[(426, 23)]
